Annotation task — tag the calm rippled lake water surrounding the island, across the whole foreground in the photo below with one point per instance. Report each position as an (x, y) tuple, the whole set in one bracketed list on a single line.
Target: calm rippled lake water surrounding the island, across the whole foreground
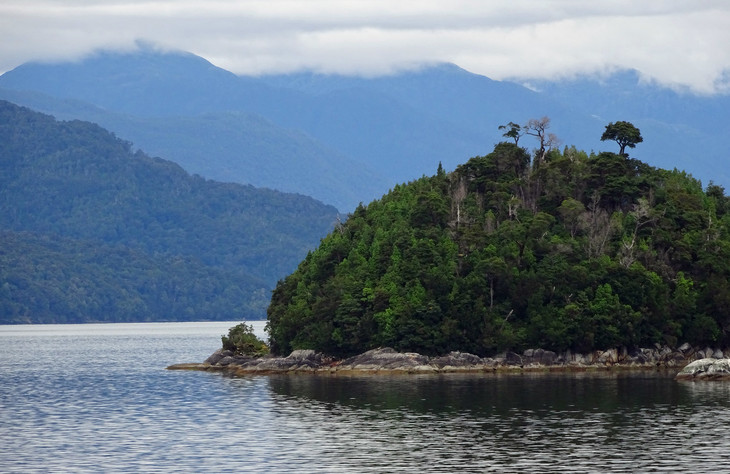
[(97, 398)]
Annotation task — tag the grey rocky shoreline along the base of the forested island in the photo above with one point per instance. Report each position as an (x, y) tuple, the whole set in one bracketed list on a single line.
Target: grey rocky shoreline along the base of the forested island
[(387, 360)]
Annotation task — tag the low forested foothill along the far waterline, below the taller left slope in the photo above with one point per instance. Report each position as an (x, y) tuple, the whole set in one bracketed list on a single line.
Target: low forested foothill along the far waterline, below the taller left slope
[(52, 279)]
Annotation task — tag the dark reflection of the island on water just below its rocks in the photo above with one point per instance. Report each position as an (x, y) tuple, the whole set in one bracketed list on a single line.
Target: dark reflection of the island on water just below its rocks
[(493, 393)]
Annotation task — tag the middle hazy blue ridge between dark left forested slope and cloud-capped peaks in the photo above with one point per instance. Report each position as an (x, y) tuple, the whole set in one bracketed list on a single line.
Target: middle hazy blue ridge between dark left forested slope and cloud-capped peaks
[(230, 147)]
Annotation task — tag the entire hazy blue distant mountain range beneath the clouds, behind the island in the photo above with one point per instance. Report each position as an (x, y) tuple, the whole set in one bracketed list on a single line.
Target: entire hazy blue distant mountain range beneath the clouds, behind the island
[(345, 140)]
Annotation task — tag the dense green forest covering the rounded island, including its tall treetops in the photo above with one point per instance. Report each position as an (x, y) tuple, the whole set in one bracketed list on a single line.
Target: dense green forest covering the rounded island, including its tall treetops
[(558, 249)]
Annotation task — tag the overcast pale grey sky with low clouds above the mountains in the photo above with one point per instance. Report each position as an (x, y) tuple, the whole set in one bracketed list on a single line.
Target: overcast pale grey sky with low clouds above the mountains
[(681, 43)]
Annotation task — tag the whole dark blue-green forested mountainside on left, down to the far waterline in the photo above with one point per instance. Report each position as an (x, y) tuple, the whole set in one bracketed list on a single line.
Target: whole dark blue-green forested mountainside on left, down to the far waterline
[(138, 236)]
